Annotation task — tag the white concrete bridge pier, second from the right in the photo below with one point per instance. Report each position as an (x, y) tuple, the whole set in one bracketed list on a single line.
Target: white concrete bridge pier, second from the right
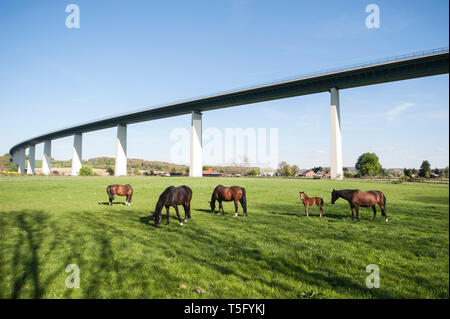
[(196, 158)]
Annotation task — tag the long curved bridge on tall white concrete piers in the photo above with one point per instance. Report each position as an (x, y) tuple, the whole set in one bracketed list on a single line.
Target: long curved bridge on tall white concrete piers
[(415, 65)]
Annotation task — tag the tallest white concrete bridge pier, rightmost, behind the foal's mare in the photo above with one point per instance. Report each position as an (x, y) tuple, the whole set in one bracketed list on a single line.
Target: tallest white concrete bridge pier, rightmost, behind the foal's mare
[(337, 171)]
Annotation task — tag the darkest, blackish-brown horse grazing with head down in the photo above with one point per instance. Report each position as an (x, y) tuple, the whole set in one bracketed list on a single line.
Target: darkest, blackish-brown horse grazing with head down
[(174, 196)]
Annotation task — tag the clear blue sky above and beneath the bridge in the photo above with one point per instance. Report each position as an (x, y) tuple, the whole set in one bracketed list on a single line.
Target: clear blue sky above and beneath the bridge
[(128, 55)]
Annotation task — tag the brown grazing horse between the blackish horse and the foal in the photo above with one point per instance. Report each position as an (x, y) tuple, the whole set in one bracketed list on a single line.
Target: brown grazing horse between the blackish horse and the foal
[(228, 194)]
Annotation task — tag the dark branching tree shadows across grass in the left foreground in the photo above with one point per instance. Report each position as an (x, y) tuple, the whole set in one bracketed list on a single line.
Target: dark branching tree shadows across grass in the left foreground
[(107, 273)]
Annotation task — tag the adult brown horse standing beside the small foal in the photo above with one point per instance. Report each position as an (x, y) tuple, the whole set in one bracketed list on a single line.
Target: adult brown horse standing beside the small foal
[(357, 198)]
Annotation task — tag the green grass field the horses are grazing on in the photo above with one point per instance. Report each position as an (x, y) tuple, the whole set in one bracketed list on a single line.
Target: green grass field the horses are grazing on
[(47, 223)]
